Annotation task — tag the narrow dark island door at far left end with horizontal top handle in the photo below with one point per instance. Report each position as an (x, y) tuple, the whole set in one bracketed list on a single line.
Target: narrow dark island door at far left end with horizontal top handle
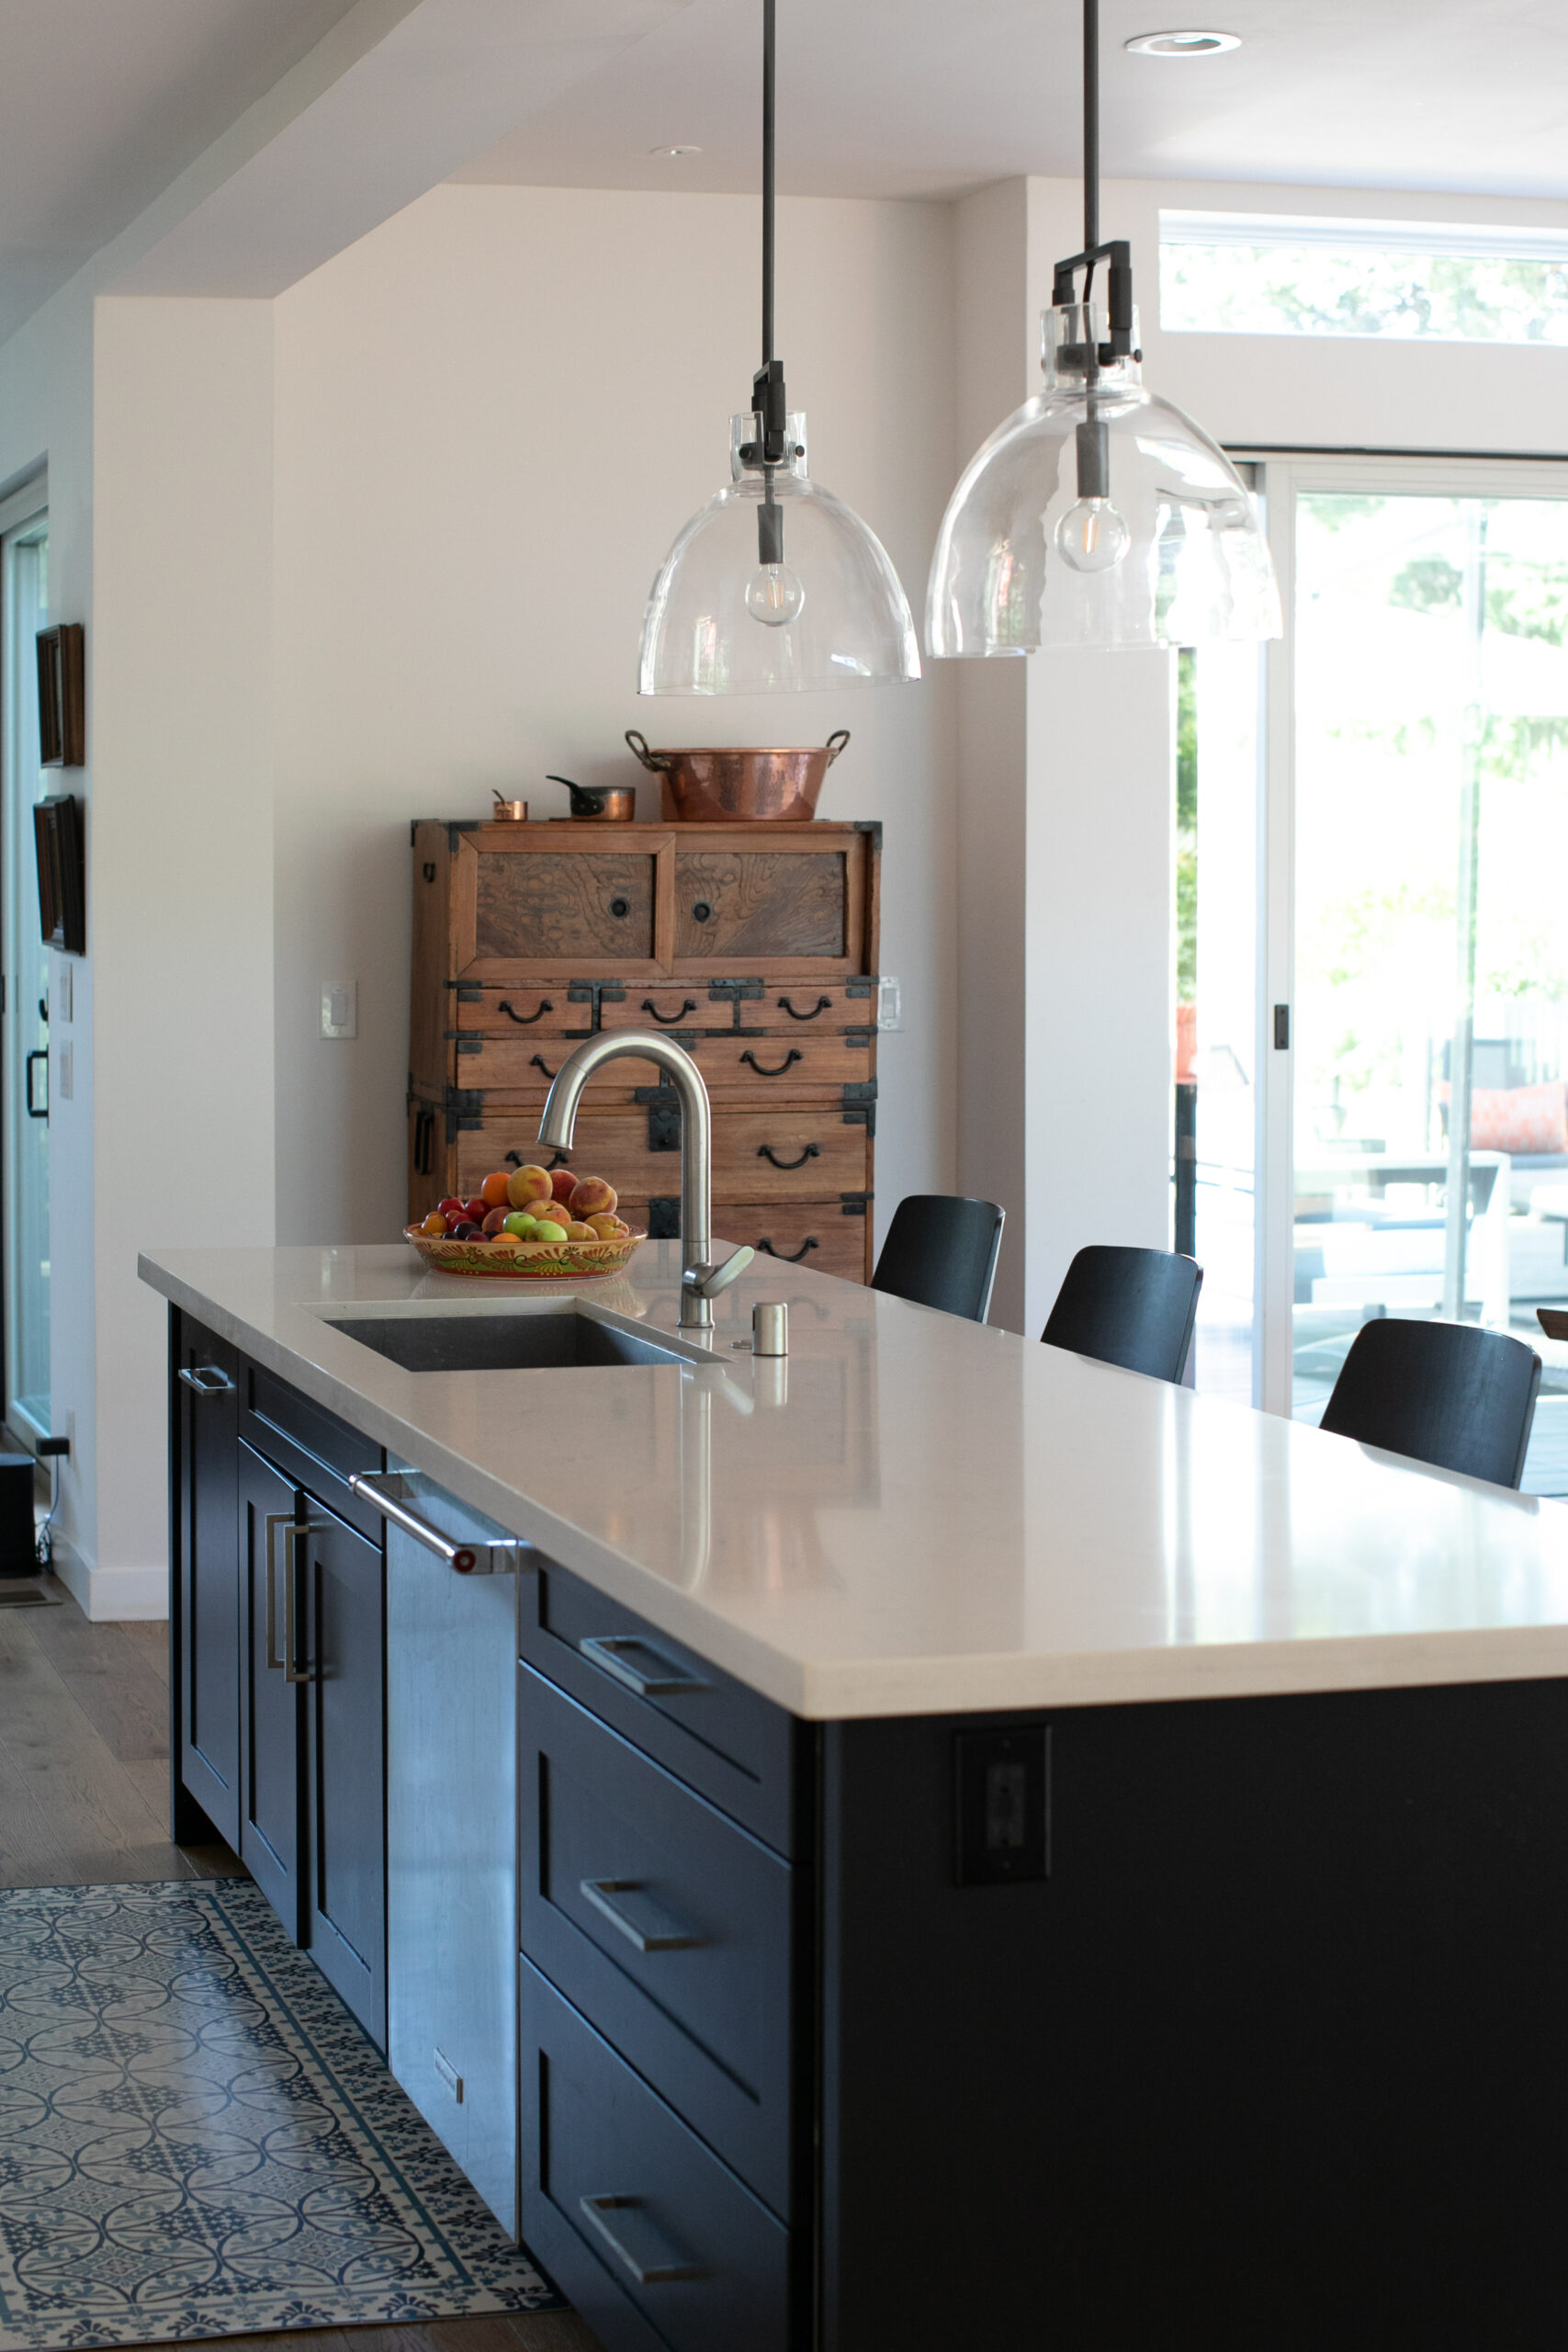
[(208, 1403)]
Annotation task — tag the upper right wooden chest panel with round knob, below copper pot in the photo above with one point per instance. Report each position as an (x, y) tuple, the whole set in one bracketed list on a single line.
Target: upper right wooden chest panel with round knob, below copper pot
[(772, 904)]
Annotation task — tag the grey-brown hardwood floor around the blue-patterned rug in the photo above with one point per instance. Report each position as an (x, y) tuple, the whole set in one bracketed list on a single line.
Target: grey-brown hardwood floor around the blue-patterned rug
[(86, 1803)]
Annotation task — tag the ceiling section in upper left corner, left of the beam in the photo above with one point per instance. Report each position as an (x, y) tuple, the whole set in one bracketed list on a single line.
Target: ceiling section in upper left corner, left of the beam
[(105, 102)]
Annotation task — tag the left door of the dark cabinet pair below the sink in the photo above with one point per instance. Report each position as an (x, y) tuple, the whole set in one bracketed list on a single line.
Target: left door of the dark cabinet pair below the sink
[(272, 1706)]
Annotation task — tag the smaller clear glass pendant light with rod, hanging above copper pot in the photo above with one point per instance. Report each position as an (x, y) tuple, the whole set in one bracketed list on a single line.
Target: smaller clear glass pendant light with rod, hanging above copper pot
[(775, 584)]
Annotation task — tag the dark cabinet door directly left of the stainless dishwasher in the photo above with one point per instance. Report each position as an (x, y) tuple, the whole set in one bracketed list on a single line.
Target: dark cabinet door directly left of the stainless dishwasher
[(347, 1793)]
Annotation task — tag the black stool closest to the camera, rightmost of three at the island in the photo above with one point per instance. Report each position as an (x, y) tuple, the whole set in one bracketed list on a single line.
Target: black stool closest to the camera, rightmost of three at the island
[(1442, 1394)]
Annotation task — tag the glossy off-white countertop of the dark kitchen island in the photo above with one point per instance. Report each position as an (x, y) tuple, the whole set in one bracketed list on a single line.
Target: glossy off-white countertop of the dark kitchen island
[(916, 1514)]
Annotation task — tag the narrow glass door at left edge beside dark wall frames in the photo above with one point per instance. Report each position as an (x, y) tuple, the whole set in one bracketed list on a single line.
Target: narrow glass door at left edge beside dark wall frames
[(25, 987)]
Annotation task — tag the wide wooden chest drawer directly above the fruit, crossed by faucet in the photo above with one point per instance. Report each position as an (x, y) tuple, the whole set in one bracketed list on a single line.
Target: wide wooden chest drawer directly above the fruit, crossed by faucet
[(758, 1156)]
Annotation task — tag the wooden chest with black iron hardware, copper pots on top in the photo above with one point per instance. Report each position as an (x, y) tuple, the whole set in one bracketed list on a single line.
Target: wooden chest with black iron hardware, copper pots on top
[(753, 947)]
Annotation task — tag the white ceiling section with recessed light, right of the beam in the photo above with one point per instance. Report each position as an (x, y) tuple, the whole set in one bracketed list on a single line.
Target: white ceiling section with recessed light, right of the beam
[(923, 98)]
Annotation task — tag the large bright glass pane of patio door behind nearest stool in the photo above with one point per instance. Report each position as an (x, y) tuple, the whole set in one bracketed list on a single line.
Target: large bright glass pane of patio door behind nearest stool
[(1430, 1027)]
